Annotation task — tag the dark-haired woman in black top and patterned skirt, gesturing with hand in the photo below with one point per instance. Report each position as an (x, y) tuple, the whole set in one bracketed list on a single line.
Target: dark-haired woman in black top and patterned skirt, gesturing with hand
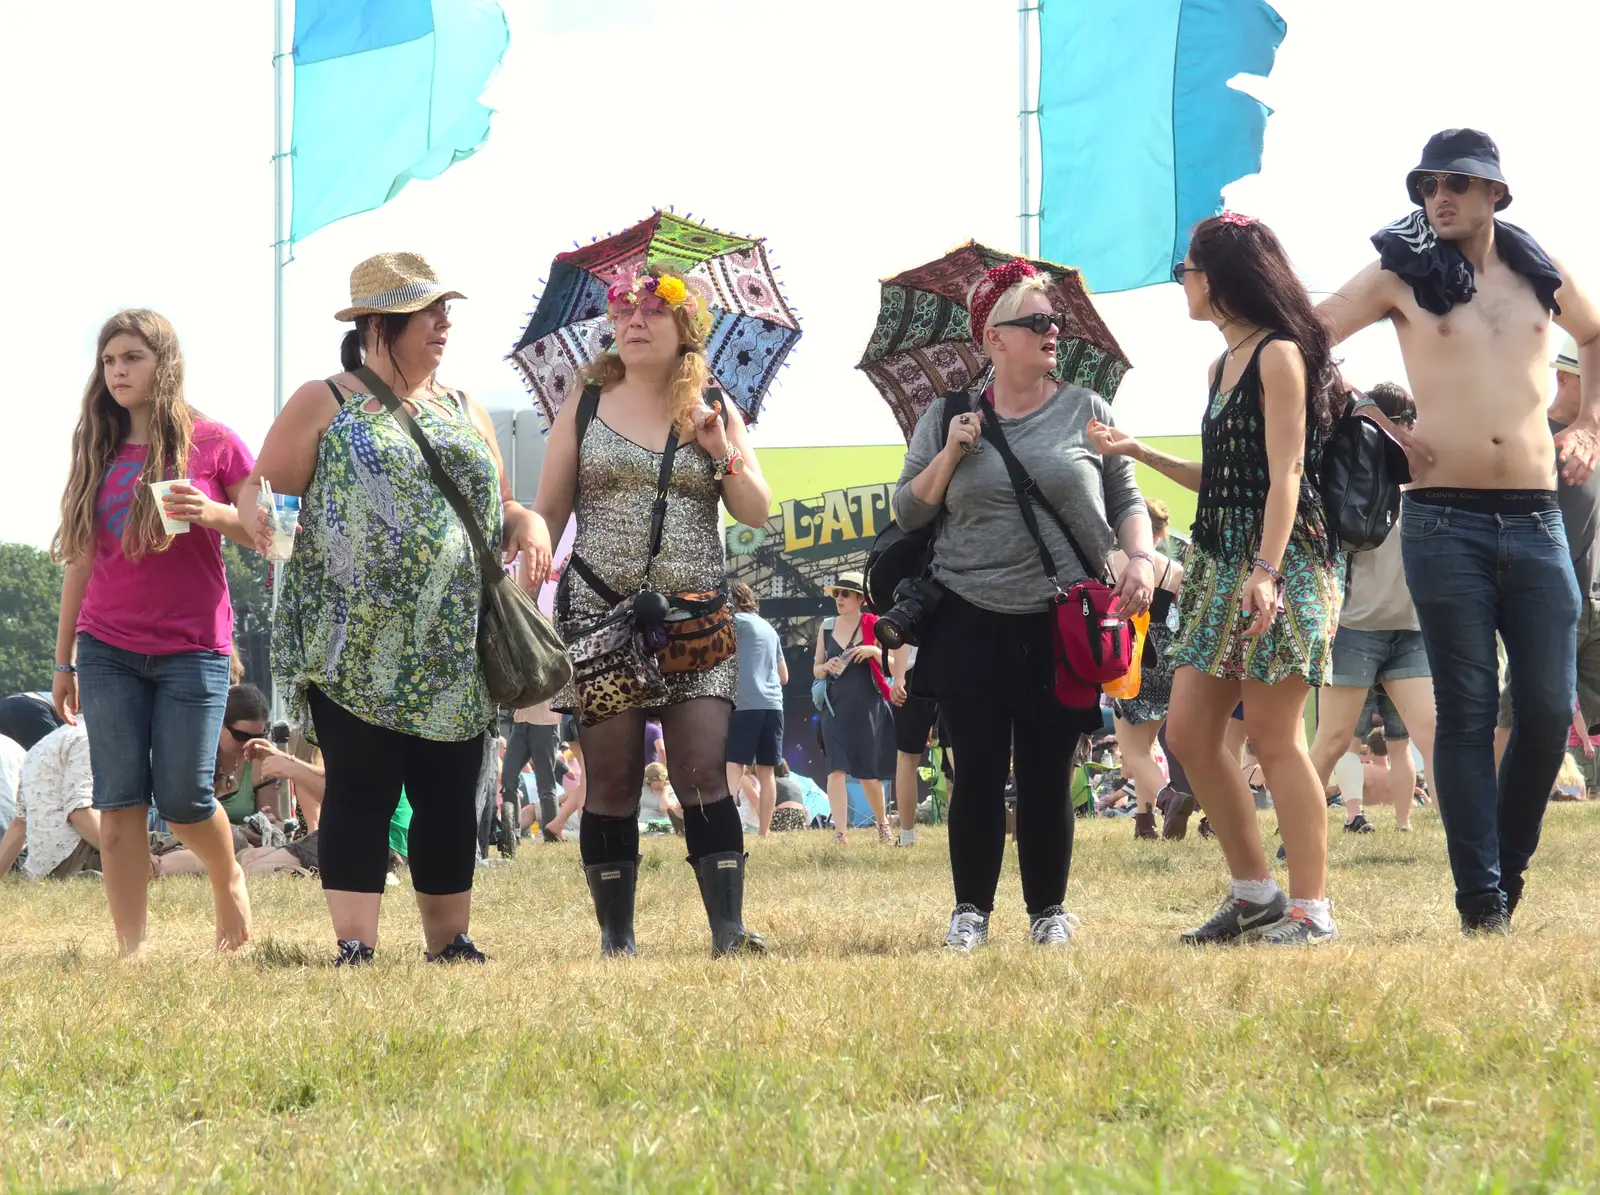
[(1262, 597)]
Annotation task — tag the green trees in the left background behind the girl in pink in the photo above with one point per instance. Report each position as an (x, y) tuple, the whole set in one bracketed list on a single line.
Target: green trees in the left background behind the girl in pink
[(31, 607)]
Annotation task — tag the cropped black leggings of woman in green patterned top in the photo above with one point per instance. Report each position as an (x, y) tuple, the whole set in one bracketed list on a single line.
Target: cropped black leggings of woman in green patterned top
[(367, 767)]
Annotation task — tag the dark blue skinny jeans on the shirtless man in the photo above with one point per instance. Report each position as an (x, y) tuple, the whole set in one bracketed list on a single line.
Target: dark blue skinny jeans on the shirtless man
[(1471, 577)]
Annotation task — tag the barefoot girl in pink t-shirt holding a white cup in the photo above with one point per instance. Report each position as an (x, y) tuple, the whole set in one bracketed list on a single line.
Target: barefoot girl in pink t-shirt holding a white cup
[(146, 620)]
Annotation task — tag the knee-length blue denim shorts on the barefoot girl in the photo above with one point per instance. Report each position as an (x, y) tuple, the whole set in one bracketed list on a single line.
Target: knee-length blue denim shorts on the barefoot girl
[(154, 724)]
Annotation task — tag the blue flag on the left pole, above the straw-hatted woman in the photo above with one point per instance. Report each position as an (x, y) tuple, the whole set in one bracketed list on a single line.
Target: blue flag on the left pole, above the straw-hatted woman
[(386, 92)]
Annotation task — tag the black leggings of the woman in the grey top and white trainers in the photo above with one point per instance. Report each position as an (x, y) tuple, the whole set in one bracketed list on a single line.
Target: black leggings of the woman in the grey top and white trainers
[(985, 738)]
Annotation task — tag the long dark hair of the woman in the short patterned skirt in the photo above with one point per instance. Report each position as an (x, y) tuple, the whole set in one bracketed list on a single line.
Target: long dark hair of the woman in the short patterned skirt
[(1254, 284)]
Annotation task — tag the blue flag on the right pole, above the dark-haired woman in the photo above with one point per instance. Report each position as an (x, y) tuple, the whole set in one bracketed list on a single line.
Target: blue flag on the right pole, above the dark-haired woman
[(1138, 129)]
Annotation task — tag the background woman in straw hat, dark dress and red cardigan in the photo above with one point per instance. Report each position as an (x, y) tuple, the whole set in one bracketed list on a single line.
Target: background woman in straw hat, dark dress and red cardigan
[(857, 724)]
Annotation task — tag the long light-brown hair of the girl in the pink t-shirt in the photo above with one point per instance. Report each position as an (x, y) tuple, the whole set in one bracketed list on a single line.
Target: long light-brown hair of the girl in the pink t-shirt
[(103, 428)]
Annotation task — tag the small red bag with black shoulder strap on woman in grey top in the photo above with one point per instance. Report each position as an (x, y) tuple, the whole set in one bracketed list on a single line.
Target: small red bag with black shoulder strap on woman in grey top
[(1094, 644)]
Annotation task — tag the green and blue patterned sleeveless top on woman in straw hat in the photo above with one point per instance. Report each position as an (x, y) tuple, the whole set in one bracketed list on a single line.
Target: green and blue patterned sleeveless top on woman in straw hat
[(380, 602)]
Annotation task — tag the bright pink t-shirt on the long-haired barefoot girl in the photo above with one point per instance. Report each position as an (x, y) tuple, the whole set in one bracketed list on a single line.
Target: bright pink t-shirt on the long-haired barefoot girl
[(174, 601)]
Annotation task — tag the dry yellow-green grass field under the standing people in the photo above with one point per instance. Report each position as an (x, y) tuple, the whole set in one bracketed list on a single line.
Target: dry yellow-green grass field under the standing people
[(857, 1058)]
